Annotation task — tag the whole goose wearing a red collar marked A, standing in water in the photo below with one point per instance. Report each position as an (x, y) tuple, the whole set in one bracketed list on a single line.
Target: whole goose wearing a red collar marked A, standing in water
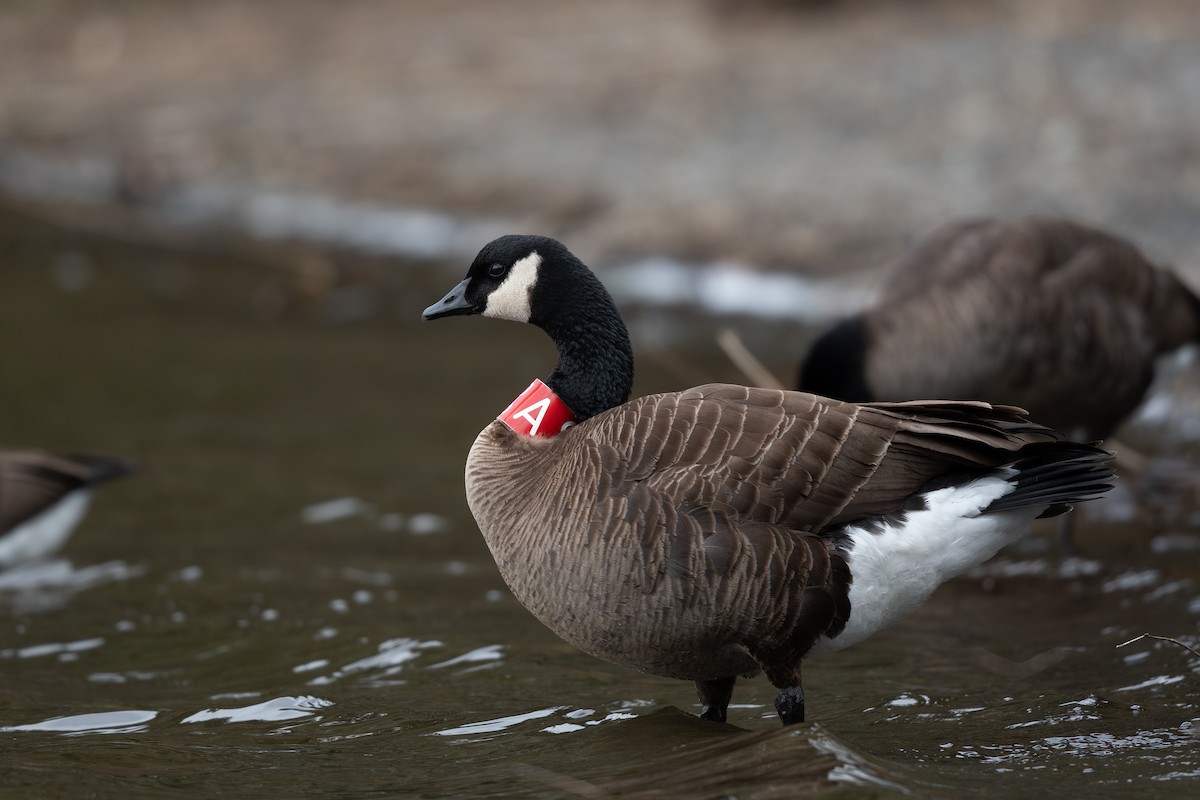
[(725, 532)]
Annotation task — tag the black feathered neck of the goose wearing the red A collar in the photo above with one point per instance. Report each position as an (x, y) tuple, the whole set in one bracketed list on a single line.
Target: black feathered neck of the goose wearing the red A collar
[(596, 360)]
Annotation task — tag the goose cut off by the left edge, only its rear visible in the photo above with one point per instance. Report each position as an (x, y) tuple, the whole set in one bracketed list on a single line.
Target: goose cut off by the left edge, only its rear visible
[(44, 497)]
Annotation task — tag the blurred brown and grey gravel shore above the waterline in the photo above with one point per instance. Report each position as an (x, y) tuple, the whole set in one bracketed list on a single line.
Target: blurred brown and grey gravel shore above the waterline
[(817, 137)]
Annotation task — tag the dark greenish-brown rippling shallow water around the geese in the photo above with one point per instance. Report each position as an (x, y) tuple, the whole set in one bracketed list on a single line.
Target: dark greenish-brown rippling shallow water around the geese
[(291, 597)]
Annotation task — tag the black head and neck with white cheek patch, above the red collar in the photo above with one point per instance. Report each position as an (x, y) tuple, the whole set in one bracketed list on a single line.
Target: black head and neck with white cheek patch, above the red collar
[(537, 280)]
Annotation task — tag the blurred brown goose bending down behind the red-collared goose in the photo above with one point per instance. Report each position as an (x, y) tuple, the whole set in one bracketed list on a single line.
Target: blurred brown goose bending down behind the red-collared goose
[(1048, 315)]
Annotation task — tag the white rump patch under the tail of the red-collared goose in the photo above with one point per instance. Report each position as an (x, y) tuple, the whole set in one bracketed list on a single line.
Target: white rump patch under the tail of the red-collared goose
[(897, 569)]
